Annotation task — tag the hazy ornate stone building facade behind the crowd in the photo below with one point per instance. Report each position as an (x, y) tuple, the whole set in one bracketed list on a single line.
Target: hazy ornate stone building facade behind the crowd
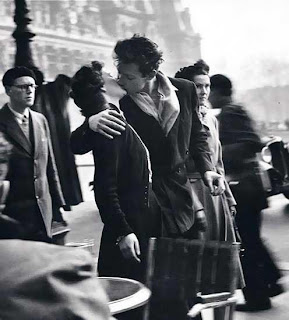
[(72, 32)]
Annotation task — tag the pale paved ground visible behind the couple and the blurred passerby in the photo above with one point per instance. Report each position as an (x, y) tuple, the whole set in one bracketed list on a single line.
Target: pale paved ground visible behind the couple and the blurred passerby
[(86, 224)]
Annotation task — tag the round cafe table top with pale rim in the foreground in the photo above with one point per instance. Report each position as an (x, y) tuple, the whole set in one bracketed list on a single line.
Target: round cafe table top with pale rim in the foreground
[(124, 294)]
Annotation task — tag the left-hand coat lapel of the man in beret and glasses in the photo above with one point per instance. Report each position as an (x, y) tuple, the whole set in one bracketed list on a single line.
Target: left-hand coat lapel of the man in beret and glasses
[(13, 130)]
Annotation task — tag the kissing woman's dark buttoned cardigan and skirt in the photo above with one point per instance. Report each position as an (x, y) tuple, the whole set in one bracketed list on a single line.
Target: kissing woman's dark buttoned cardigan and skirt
[(121, 188)]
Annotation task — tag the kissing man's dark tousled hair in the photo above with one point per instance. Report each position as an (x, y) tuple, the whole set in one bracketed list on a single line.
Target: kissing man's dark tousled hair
[(139, 50)]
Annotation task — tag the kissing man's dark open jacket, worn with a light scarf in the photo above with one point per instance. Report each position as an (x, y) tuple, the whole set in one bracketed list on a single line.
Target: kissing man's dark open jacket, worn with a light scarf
[(169, 153)]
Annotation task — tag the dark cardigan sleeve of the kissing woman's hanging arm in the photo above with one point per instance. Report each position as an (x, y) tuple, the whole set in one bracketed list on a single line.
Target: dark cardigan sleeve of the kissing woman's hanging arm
[(107, 155)]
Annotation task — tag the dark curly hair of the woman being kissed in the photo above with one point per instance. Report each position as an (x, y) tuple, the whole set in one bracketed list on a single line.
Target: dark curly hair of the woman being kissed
[(87, 89)]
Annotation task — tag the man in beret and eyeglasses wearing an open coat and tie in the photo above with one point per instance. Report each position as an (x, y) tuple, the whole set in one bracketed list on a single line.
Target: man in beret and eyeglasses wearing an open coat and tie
[(34, 184)]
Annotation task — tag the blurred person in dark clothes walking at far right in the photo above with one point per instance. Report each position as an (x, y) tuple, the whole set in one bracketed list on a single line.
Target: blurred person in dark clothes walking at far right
[(241, 143)]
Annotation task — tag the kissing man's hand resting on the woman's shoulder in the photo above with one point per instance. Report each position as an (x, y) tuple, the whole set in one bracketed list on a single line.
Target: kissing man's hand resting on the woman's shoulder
[(108, 123)]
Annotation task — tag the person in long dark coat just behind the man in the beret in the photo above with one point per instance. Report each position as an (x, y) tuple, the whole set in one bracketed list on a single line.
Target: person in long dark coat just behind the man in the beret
[(51, 100)]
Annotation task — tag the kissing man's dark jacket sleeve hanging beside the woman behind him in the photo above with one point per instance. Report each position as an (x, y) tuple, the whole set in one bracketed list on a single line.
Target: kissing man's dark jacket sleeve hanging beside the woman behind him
[(199, 148)]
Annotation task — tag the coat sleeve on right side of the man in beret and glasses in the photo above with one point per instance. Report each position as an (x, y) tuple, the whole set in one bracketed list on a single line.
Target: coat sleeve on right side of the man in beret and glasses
[(52, 173)]
